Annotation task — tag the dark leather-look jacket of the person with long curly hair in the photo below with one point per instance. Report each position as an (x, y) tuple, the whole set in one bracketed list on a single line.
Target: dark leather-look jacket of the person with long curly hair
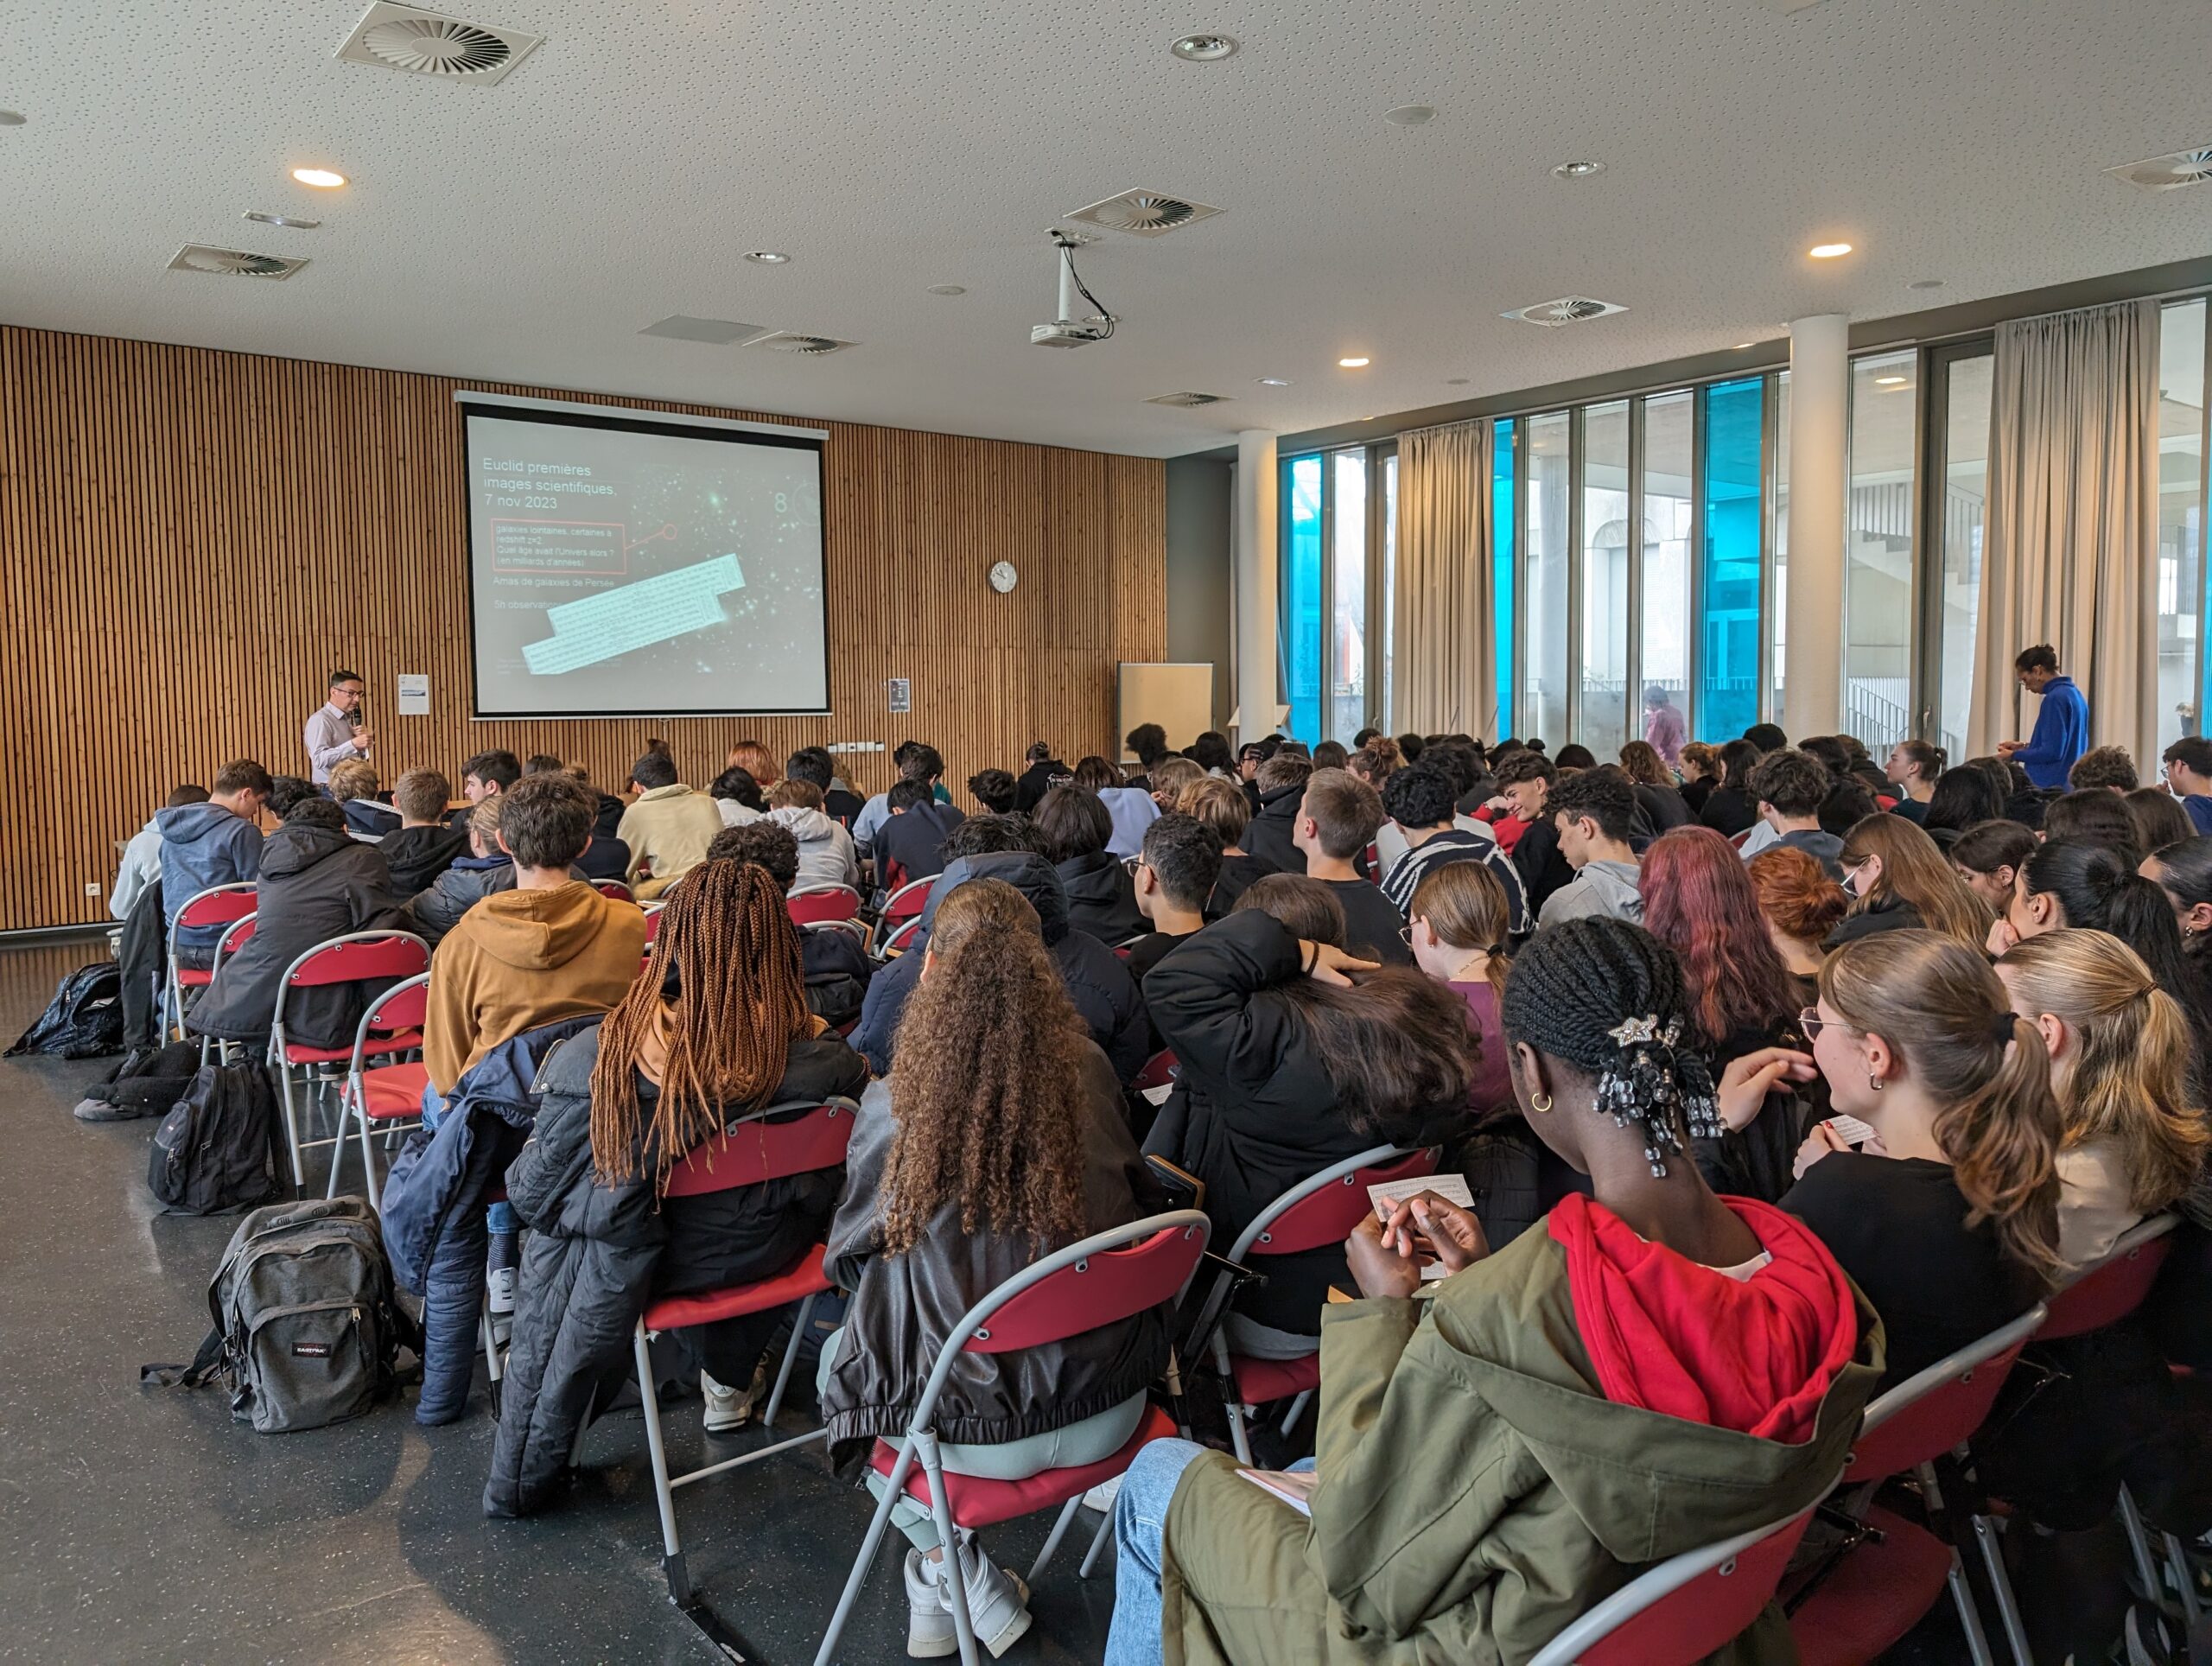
[(904, 1306)]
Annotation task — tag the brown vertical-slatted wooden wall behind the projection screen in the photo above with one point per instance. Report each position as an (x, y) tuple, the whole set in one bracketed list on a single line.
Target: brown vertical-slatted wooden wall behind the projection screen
[(196, 539)]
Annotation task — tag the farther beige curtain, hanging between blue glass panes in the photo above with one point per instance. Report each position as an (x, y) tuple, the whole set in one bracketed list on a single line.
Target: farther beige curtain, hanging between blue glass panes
[(1443, 667)]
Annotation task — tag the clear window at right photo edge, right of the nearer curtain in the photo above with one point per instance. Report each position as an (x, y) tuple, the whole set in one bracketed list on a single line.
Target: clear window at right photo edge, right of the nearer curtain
[(2182, 517)]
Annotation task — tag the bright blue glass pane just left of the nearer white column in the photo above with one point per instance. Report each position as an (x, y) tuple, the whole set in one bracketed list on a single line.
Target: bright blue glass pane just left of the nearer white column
[(1729, 572)]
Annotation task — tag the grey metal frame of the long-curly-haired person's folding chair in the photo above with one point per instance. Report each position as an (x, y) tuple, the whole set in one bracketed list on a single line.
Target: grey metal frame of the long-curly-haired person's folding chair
[(1178, 1231)]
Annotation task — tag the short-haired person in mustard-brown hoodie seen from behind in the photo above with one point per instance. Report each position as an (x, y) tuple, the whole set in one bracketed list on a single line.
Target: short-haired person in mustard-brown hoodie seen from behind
[(545, 950)]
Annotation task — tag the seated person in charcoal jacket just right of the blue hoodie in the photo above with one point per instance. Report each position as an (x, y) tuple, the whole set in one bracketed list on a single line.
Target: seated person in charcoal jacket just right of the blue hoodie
[(317, 884)]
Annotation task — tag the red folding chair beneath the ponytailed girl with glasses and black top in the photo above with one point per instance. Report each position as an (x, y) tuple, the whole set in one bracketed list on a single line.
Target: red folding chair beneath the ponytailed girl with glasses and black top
[(1879, 1590)]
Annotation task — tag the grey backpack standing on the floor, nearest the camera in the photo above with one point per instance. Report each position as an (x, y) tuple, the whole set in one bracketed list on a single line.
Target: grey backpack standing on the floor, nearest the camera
[(306, 1331)]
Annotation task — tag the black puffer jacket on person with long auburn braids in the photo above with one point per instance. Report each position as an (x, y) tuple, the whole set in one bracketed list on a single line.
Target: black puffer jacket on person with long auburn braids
[(596, 1256)]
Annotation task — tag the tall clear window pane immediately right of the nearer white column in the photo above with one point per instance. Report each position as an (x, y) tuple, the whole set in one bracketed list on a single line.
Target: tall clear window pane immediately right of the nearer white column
[(1879, 552)]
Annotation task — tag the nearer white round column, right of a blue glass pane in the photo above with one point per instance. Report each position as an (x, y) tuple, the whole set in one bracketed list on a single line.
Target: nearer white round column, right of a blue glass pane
[(1819, 477)]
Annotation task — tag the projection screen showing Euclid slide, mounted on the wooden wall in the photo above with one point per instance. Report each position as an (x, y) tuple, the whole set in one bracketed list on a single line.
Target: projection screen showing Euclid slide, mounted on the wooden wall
[(643, 568)]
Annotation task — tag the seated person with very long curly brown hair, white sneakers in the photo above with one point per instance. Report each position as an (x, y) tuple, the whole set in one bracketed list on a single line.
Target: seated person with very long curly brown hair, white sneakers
[(997, 1138)]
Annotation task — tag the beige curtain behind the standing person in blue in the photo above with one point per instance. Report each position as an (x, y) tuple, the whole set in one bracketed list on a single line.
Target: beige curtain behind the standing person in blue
[(2069, 545)]
